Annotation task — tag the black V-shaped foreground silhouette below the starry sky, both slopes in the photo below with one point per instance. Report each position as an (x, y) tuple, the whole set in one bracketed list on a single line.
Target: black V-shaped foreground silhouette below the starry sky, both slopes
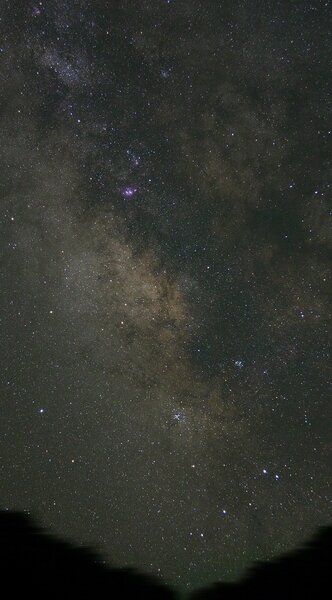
[(36, 563)]
